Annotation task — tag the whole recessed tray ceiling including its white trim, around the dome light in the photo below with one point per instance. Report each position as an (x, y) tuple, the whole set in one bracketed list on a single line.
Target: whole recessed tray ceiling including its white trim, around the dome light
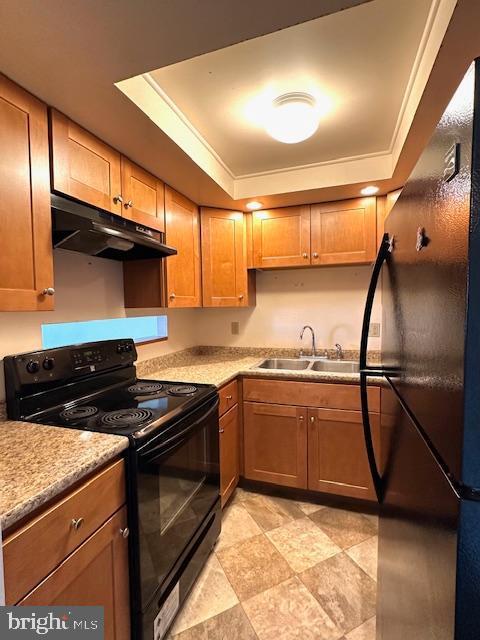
[(369, 63)]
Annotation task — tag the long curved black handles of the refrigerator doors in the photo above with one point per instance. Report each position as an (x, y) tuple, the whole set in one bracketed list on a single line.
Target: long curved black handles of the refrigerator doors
[(386, 248)]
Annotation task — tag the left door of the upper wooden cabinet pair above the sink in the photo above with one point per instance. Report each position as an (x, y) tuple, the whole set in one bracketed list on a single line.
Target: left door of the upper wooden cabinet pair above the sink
[(281, 237)]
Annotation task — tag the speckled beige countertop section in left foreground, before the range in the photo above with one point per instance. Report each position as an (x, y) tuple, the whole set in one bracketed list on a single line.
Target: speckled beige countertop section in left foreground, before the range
[(38, 462)]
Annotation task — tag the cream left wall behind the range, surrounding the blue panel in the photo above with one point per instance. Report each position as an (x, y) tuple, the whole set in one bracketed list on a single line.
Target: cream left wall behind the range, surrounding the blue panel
[(87, 288)]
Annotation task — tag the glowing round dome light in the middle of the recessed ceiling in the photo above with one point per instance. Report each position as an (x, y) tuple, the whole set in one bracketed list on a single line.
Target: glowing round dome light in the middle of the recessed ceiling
[(294, 117)]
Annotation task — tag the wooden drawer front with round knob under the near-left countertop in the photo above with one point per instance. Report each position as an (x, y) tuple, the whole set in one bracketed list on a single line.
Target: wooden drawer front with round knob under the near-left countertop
[(33, 551)]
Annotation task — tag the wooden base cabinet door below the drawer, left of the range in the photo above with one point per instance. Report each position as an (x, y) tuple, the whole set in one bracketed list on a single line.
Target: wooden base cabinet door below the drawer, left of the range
[(95, 574)]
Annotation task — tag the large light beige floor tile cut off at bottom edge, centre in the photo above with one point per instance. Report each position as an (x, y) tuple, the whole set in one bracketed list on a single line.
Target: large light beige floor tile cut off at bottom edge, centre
[(289, 612)]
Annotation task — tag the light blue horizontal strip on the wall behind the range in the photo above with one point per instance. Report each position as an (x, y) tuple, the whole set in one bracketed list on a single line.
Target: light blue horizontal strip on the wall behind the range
[(140, 329)]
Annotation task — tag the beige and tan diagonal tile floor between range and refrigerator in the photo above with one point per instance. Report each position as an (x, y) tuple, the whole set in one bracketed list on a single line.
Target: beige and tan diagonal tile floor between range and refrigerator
[(283, 570)]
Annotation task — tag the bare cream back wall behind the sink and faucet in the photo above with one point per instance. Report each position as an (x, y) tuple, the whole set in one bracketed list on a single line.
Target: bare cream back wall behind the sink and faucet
[(330, 299)]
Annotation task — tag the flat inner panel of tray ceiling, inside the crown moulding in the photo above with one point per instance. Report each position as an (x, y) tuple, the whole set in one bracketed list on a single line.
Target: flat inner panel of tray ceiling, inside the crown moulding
[(359, 60)]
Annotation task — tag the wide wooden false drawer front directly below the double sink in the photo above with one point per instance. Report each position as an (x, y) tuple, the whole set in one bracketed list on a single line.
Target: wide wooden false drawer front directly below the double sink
[(309, 394)]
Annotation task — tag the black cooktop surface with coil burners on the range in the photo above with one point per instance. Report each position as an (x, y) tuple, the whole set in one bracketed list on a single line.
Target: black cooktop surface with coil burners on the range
[(131, 410)]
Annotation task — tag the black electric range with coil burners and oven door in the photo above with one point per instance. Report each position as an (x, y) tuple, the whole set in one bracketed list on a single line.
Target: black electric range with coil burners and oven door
[(173, 480)]
